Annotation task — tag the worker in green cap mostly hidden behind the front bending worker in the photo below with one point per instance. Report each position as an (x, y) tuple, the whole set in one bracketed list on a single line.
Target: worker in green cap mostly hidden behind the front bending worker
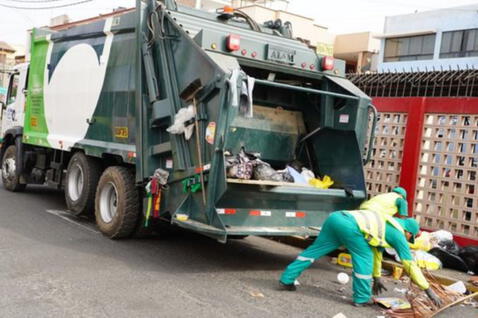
[(388, 203)]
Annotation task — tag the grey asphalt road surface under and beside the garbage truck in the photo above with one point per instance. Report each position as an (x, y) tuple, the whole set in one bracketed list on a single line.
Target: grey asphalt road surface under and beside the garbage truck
[(55, 266)]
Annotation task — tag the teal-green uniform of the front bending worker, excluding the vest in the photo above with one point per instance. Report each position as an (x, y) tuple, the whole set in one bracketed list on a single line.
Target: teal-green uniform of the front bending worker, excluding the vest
[(342, 229)]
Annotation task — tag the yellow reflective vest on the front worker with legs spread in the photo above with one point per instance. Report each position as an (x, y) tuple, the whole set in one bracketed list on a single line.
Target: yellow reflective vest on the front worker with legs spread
[(373, 224)]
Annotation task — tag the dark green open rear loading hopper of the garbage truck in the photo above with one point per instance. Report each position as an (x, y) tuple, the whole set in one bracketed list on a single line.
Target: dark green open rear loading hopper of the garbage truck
[(278, 112)]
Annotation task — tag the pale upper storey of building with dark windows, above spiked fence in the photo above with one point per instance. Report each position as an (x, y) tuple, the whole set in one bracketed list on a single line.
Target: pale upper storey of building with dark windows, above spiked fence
[(430, 40)]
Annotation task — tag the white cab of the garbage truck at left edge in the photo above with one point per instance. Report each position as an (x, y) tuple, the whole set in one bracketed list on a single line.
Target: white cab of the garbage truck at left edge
[(13, 110)]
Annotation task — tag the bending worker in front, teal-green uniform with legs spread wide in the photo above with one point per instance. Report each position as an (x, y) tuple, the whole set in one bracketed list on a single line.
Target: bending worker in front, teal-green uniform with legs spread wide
[(365, 234)]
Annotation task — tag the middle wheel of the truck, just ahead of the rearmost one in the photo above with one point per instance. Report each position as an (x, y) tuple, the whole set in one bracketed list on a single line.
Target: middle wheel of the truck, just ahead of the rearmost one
[(82, 178)]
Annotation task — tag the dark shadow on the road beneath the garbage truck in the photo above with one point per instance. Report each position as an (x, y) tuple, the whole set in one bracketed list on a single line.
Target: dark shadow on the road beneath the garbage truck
[(178, 252)]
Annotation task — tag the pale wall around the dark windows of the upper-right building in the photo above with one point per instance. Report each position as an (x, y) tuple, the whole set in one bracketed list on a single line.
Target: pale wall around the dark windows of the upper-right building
[(439, 21)]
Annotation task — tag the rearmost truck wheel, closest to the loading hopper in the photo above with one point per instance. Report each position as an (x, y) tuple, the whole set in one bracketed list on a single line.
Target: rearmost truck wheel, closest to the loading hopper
[(117, 203)]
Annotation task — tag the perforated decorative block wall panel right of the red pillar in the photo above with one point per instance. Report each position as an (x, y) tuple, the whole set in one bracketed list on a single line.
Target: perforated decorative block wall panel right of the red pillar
[(447, 177)]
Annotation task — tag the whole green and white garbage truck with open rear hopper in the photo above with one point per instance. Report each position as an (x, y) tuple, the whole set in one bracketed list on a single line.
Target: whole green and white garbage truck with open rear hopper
[(140, 116)]
